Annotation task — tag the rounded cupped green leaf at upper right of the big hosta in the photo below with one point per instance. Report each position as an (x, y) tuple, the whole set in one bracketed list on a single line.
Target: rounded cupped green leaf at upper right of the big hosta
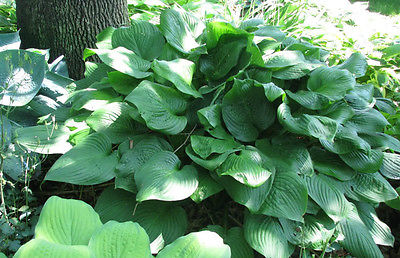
[(331, 82)]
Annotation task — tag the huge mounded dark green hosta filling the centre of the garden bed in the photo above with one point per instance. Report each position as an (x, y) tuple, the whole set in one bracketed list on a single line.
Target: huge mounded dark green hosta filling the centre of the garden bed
[(186, 110)]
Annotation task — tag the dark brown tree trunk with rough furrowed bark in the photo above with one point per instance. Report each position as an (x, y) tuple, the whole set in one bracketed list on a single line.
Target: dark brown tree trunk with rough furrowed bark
[(67, 27)]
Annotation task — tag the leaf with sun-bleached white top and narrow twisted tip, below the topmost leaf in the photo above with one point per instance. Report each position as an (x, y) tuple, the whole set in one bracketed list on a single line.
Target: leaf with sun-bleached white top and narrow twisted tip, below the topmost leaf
[(179, 72)]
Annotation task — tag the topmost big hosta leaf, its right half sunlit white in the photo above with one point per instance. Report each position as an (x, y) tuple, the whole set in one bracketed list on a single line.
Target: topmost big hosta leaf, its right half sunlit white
[(181, 29)]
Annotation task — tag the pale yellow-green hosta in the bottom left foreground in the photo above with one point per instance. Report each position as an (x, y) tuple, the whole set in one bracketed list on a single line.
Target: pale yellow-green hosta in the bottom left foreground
[(71, 228)]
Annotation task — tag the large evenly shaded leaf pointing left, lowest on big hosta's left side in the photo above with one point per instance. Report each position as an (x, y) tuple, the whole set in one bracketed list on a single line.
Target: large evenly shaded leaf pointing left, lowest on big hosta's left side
[(90, 162)]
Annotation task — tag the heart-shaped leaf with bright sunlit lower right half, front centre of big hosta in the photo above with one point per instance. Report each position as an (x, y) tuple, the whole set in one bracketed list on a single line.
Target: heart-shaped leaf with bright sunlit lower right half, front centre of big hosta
[(161, 178)]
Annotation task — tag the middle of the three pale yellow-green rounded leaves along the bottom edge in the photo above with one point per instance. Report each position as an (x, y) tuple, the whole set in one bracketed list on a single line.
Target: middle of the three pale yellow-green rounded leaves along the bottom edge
[(127, 239)]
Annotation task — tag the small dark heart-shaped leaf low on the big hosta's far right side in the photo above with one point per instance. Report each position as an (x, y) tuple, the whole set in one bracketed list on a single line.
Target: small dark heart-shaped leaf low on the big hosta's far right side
[(363, 162)]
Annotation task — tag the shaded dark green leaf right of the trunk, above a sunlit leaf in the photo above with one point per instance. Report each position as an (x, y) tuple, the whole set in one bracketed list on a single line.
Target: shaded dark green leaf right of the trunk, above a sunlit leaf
[(142, 37)]
